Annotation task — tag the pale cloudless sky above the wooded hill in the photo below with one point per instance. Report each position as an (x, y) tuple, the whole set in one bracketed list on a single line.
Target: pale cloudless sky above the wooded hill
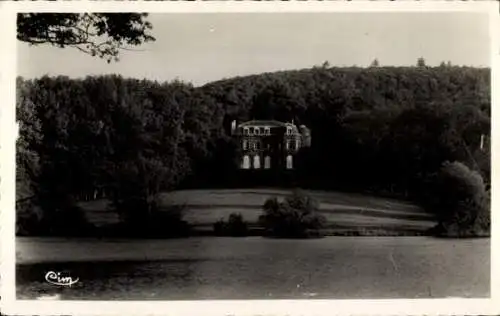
[(204, 47)]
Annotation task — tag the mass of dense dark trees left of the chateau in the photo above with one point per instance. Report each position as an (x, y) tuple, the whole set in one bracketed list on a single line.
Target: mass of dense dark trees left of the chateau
[(124, 139)]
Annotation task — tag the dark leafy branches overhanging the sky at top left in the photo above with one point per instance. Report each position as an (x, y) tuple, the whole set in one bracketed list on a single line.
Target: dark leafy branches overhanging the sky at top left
[(97, 34)]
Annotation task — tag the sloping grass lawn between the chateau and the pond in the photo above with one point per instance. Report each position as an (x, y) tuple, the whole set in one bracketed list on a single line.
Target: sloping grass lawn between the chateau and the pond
[(346, 213)]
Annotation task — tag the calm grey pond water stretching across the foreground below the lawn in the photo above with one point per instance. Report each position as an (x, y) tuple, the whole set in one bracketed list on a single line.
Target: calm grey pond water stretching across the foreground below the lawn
[(255, 268)]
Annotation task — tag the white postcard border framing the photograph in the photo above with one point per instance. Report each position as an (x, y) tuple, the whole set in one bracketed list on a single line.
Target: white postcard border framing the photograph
[(10, 306)]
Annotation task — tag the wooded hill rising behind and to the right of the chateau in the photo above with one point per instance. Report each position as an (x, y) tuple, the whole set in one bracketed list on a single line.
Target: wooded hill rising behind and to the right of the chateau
[(374, 127)]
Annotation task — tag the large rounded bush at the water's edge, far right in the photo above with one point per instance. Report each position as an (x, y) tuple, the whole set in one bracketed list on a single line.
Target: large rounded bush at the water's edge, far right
[(461, 202)]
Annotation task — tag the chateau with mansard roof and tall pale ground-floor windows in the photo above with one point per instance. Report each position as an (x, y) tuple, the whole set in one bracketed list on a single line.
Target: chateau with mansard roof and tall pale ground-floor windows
[(269, 144)]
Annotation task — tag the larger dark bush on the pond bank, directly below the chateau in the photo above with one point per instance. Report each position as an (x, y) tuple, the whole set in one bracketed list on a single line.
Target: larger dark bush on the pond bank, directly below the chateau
[(295, 217)]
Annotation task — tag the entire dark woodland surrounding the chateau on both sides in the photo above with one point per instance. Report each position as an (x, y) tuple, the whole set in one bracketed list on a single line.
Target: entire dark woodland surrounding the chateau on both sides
[(379, 129)]
